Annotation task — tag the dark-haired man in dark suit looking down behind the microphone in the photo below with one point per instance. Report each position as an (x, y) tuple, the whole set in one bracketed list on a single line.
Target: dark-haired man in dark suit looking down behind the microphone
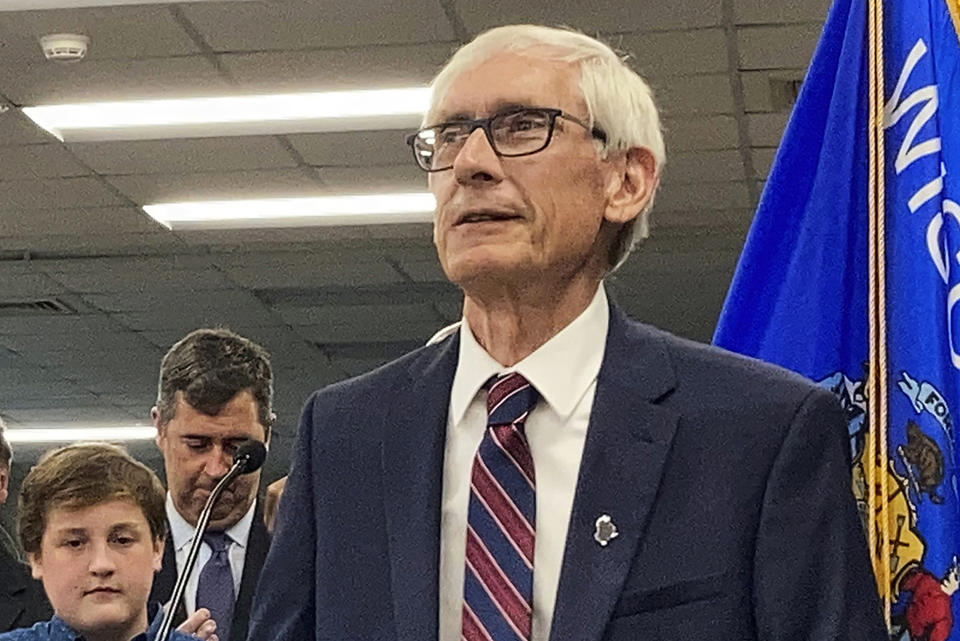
[(215, 392)]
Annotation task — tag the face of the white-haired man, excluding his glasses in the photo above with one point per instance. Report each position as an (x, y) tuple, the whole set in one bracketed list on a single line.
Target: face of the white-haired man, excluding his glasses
[(549, 206)]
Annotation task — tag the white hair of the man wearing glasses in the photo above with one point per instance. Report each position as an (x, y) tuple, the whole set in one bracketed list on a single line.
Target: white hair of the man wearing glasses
[(619, 101)]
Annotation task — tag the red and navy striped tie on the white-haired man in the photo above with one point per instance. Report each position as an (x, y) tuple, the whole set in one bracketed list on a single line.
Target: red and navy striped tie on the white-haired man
[(501, 521)]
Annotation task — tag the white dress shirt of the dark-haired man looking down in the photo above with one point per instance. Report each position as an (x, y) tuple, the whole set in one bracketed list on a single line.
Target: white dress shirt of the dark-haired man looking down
[(181, 533)]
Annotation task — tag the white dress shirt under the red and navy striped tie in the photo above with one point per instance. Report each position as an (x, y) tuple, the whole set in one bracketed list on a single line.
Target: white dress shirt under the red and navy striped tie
[(564, 370)]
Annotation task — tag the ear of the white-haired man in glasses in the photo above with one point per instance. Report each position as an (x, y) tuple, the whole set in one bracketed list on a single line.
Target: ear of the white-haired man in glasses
[(631, 184)]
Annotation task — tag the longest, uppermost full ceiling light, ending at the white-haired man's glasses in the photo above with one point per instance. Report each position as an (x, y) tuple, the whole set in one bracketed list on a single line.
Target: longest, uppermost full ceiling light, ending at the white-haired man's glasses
[(234, 115)]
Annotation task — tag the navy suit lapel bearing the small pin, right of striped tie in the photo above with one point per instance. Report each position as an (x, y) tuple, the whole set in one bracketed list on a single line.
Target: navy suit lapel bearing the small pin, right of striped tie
[(627, 444)]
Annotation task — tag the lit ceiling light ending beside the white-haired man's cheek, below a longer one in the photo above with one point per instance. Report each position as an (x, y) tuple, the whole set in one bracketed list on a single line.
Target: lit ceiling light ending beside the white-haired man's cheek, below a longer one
[(363, 209)]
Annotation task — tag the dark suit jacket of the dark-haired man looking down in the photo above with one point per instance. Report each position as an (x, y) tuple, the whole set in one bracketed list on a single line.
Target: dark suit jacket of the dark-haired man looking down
[(257, 546)]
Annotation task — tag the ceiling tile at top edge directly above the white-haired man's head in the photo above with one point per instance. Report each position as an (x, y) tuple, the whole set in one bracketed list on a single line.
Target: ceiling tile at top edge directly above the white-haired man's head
[(605, 16)]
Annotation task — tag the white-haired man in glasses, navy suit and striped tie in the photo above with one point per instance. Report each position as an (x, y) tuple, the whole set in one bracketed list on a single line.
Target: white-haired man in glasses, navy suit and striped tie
[(553, 469)]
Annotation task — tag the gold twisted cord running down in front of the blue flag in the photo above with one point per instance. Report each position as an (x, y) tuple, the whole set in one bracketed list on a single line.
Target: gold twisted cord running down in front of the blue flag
[(878, 526)]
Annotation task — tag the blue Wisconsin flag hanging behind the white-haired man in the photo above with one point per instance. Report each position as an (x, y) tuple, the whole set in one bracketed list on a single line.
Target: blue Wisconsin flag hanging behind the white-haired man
[(799, 297)]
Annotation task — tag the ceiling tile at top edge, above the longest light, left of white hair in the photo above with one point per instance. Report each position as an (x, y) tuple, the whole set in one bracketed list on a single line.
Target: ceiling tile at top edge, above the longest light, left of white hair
[(260, 26)]
